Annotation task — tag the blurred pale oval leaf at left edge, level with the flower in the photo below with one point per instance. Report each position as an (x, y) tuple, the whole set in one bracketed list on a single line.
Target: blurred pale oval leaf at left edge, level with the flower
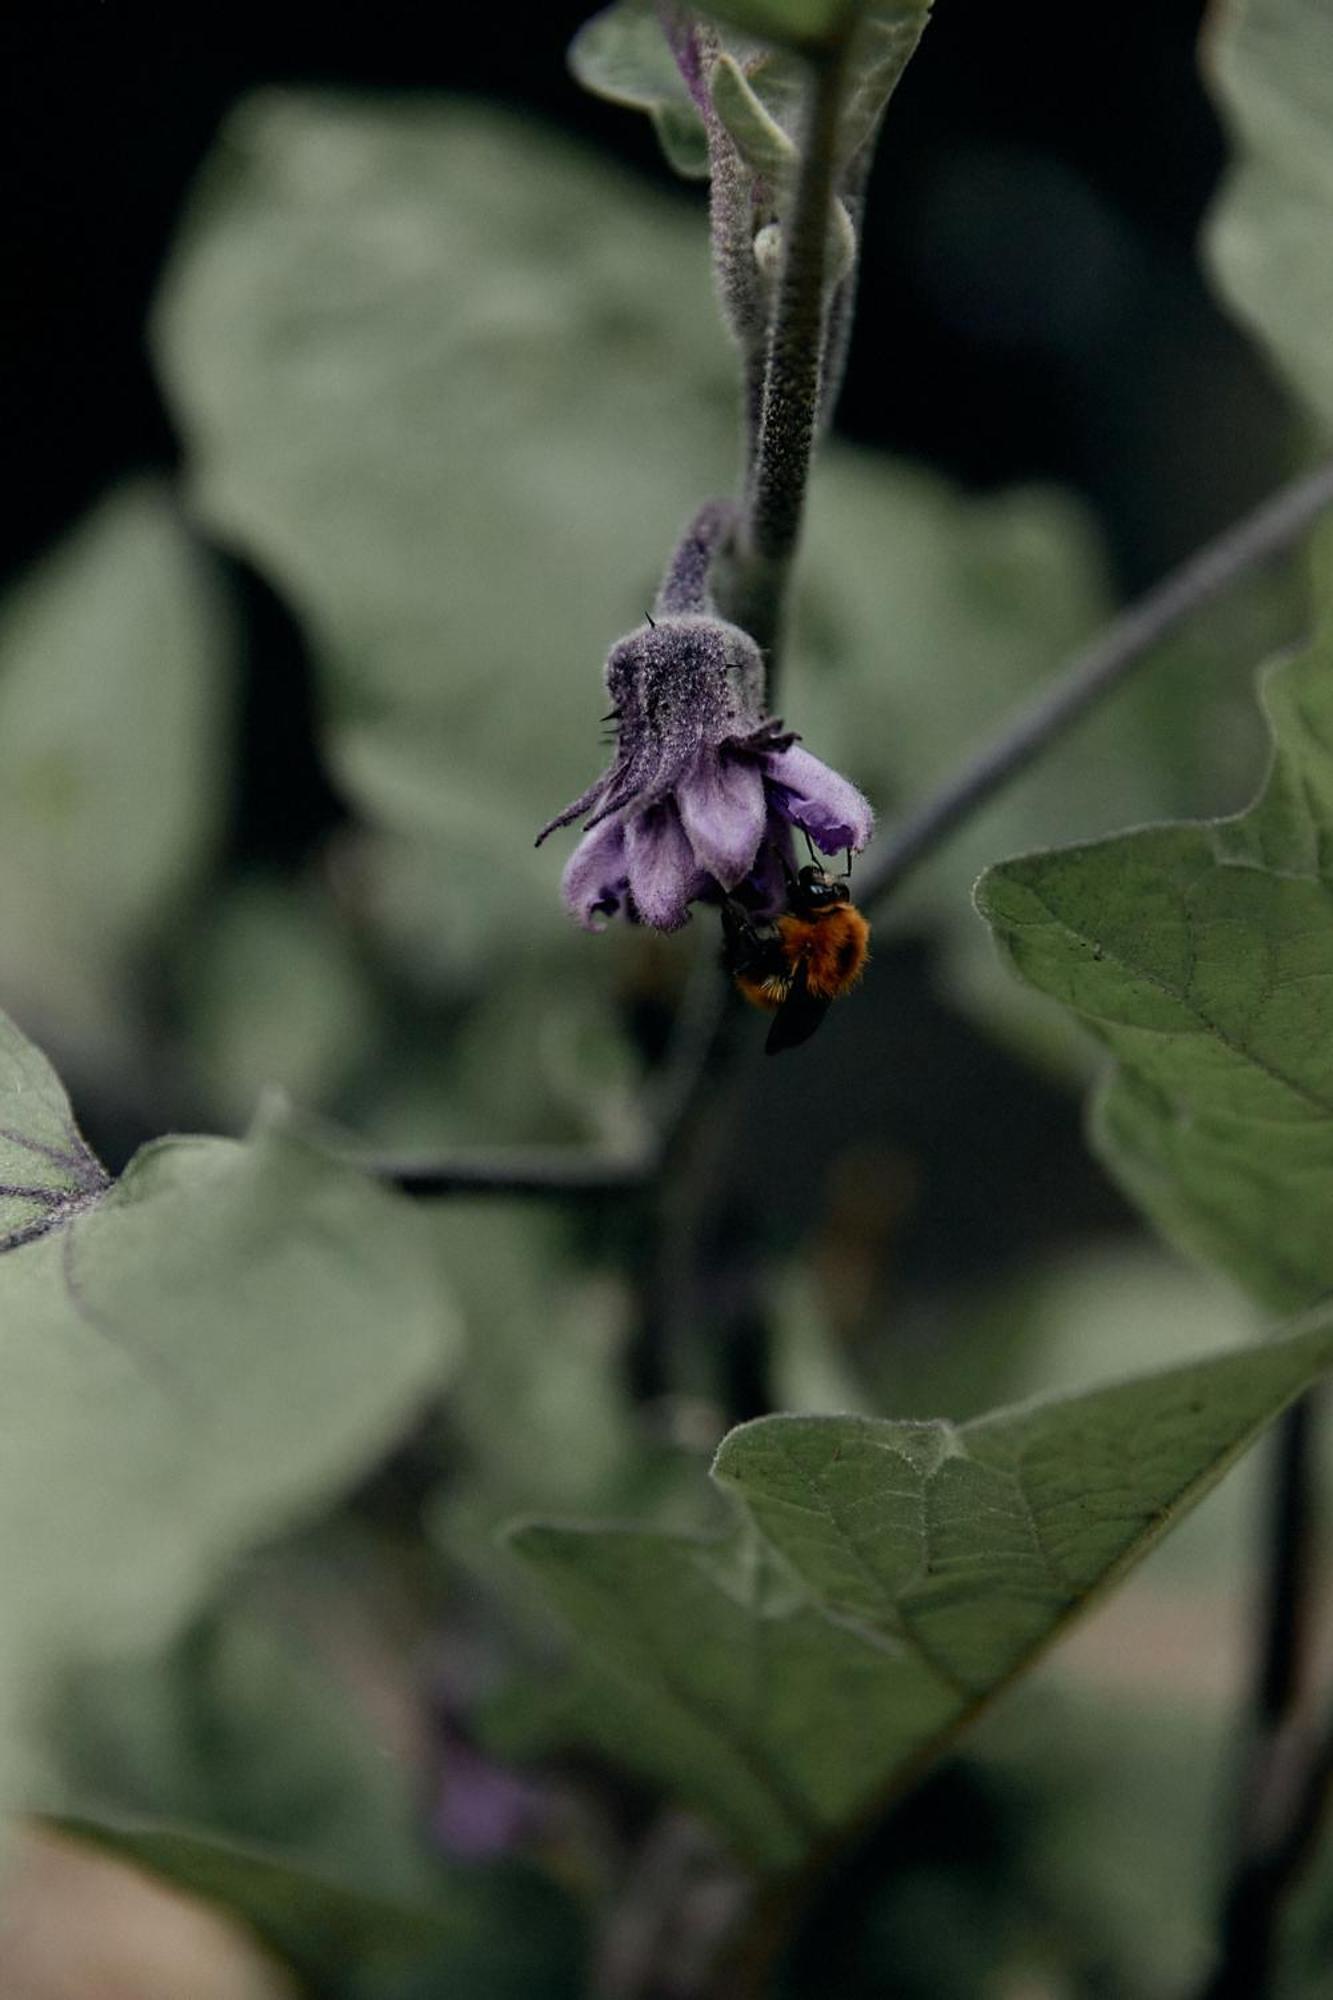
[(115, 707)]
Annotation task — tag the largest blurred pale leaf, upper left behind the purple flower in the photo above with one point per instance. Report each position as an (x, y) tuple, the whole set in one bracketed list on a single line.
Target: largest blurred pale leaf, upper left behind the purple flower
[(453, 387)]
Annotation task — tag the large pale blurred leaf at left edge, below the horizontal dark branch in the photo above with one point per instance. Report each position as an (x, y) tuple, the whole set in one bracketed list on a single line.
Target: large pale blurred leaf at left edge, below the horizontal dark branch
[(193, 1361)]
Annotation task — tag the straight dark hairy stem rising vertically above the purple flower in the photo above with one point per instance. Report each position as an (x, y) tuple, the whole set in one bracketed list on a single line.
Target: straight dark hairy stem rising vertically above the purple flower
[(794, 375)]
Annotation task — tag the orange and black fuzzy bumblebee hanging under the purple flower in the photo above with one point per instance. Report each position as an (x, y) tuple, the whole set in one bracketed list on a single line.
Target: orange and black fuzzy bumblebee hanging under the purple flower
[(800, 963)]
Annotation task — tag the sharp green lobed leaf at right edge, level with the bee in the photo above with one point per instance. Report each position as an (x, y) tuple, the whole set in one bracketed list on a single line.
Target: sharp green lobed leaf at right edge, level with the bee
[(1202, 955)]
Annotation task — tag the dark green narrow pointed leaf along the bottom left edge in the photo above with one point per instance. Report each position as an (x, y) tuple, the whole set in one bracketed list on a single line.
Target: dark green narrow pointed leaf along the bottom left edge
[(501, 1935)]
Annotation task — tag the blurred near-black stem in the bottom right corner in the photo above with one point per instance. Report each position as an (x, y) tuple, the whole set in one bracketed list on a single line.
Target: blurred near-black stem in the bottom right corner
[(1286, 1773)]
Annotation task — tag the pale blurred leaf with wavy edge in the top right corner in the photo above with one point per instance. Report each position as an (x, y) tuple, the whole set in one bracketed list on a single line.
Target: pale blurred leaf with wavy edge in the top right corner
[(1270, 235)]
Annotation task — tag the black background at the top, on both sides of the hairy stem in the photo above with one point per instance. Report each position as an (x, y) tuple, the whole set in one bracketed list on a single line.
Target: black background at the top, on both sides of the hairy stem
[(1030, 257)]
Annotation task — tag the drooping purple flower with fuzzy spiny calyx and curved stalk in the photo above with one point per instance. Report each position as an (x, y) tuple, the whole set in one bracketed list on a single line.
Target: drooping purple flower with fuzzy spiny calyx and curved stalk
[(706, 787)]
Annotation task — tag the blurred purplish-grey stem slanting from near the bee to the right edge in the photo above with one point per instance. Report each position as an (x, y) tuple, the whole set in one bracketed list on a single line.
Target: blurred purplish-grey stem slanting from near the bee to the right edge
[(1094, 673)]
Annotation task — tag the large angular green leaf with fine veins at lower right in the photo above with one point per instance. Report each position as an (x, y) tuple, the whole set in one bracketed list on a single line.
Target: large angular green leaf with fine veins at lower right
[(884, 1581)]
